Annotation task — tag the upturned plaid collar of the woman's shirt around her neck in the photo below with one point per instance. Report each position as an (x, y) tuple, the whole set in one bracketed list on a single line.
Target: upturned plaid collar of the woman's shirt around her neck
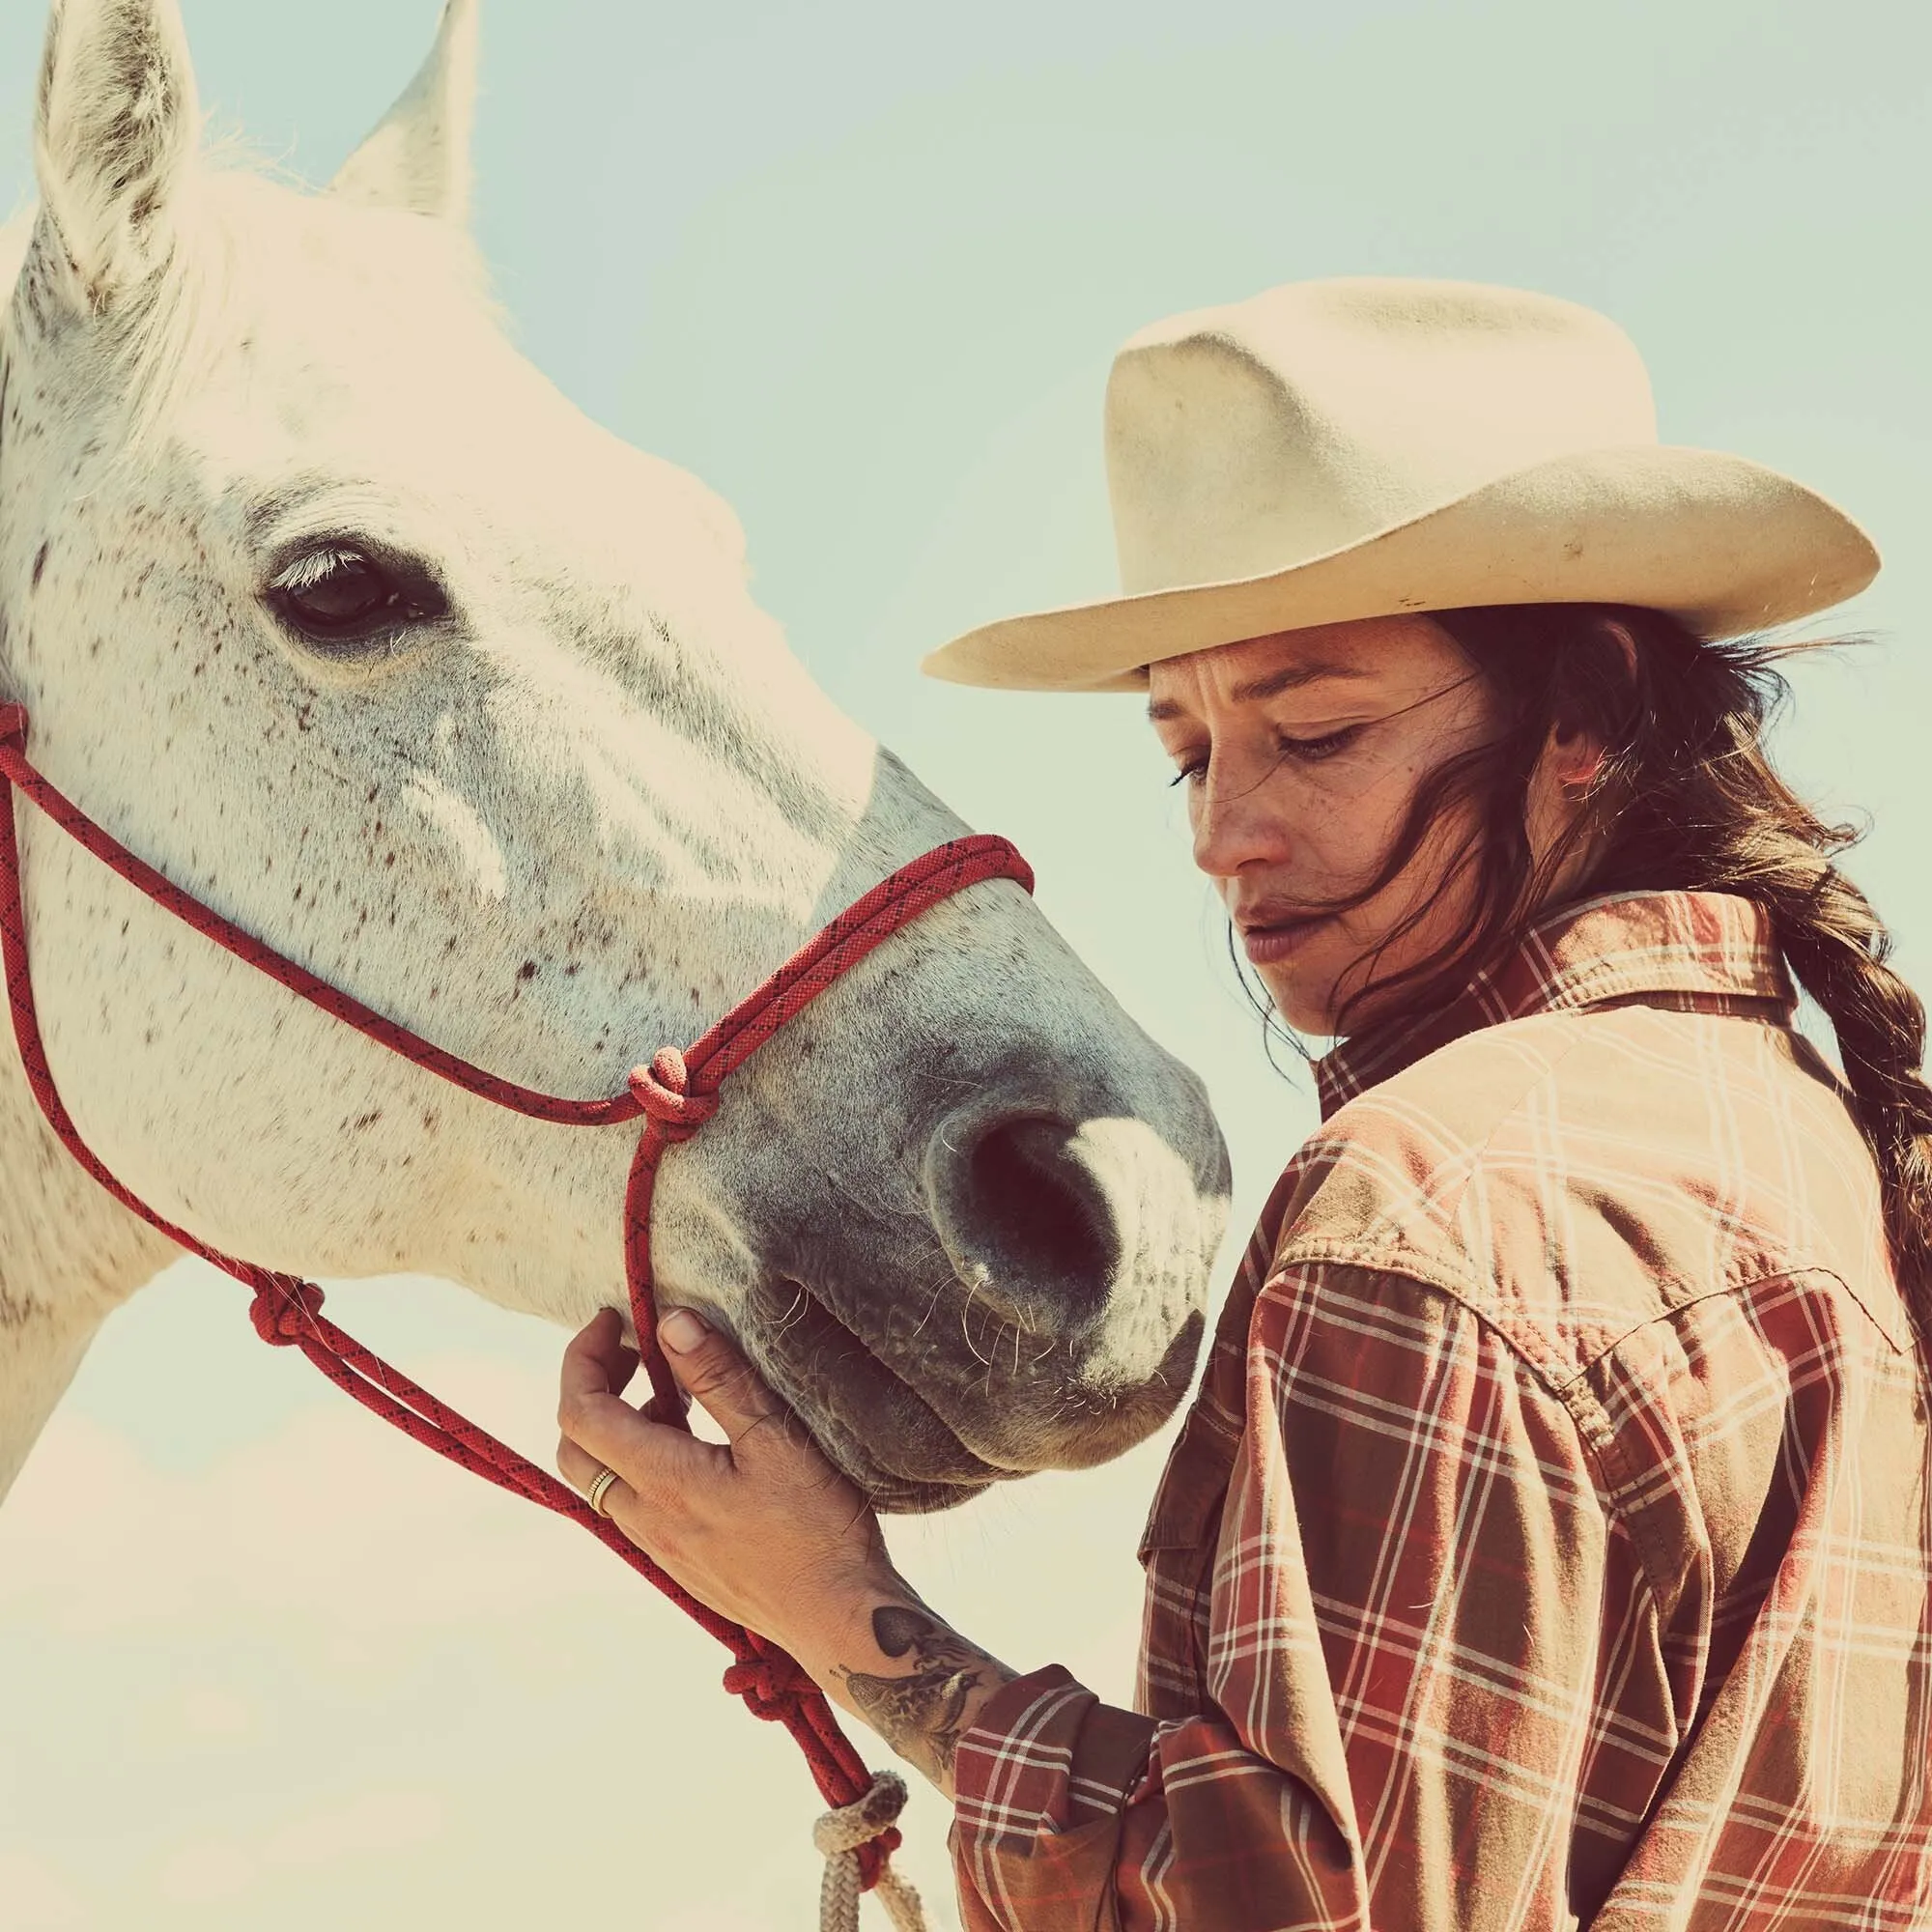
[(1707, 952)]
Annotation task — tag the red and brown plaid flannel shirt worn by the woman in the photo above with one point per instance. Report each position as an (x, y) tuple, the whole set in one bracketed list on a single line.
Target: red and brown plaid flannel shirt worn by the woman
[(1550, 1541)]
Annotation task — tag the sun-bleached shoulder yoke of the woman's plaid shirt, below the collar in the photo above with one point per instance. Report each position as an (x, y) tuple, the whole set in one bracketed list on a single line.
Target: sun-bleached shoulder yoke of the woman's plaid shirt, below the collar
[(1574, 1178)]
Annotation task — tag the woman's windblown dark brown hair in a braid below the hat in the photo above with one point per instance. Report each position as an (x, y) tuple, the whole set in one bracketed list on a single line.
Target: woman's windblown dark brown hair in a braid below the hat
[(1686, 801)]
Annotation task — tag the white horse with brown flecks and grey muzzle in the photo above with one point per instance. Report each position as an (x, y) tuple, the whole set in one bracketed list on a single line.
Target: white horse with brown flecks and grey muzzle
[(335, 611)]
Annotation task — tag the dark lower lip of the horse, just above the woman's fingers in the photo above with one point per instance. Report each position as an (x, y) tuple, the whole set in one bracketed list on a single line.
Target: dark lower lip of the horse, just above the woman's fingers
[(865, 1415)]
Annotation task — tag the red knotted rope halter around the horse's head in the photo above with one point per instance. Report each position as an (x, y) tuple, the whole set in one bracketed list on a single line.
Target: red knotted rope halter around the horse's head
[(673, 1096)]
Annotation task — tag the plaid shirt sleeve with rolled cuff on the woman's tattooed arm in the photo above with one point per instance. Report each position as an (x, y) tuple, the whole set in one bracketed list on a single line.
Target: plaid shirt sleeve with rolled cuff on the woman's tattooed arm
[(1435, 1690)]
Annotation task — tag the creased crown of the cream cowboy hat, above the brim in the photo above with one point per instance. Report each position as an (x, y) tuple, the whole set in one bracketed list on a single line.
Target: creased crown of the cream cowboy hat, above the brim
[(1261, 436)]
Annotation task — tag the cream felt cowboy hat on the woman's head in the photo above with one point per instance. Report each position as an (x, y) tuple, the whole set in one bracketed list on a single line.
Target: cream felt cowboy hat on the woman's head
[(1363, 447)]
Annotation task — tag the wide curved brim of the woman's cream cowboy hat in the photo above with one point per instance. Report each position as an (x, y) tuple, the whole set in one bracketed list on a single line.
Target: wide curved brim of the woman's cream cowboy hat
[(1719, 542)]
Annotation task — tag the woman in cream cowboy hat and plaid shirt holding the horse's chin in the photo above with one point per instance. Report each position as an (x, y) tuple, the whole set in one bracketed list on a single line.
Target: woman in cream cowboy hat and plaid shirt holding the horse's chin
[(1550, 1537)]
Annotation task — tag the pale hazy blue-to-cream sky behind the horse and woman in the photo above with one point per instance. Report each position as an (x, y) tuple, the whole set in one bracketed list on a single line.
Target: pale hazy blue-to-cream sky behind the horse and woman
[(863, 266)]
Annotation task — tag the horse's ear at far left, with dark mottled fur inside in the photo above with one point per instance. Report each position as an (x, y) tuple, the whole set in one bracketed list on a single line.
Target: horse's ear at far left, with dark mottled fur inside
[(115, 132)]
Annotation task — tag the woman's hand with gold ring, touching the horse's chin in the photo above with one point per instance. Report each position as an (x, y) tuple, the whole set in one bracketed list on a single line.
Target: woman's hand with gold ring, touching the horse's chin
[(762, 1529)]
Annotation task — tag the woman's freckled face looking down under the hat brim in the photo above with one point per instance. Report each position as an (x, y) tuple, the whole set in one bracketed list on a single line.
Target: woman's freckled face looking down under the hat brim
[(1301, 754)]
